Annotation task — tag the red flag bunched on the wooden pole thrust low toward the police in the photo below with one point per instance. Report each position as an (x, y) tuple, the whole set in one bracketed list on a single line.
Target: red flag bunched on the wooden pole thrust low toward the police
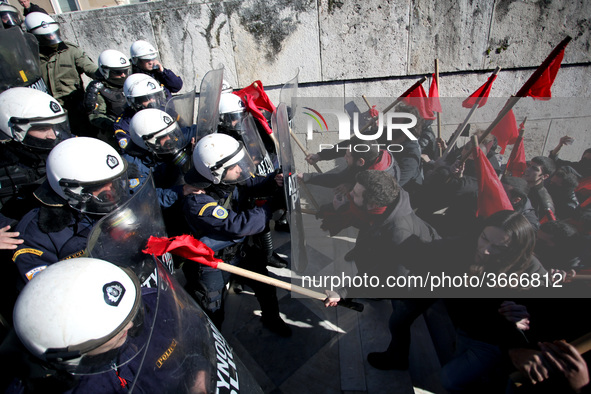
[(184, 246)]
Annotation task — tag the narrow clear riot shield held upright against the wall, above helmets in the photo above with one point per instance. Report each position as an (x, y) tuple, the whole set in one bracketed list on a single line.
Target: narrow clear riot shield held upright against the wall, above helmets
[(209, 100)]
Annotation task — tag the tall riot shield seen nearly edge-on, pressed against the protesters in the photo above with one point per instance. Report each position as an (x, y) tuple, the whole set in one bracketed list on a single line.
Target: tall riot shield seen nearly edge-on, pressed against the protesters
[(280, 125)]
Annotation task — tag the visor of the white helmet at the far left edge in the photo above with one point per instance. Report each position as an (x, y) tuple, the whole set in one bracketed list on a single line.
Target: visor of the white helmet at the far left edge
[(41, 133)]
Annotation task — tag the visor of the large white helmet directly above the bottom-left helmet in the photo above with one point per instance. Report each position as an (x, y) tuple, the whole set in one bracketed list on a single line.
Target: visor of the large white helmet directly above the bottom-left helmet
[(99, 197)]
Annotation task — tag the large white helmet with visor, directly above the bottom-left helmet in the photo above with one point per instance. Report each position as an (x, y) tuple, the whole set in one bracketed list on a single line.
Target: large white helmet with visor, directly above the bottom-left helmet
[(89, 174)]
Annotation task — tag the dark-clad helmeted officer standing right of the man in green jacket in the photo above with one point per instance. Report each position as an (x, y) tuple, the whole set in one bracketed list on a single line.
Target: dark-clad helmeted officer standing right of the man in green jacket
[(104, 99)]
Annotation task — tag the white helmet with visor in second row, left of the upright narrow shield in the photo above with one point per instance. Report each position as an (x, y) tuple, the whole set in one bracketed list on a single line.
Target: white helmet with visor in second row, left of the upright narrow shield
[(142, 91)]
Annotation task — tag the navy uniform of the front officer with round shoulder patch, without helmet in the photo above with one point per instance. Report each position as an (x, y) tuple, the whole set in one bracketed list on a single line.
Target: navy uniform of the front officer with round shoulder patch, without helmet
[(221, 220)]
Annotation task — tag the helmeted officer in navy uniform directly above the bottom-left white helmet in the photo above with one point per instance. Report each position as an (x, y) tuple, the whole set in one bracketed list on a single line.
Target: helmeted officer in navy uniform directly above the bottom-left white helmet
[(86, 179)]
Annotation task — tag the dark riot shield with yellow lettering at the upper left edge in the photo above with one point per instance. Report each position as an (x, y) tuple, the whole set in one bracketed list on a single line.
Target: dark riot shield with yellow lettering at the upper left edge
[(19, 60)]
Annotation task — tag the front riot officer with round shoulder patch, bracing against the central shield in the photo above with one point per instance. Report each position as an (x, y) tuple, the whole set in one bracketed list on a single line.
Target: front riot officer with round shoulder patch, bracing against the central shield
[(225, 172)]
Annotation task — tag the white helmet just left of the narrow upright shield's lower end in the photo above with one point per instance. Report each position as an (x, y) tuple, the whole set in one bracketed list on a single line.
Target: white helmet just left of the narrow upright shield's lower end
[(156, 131)]
